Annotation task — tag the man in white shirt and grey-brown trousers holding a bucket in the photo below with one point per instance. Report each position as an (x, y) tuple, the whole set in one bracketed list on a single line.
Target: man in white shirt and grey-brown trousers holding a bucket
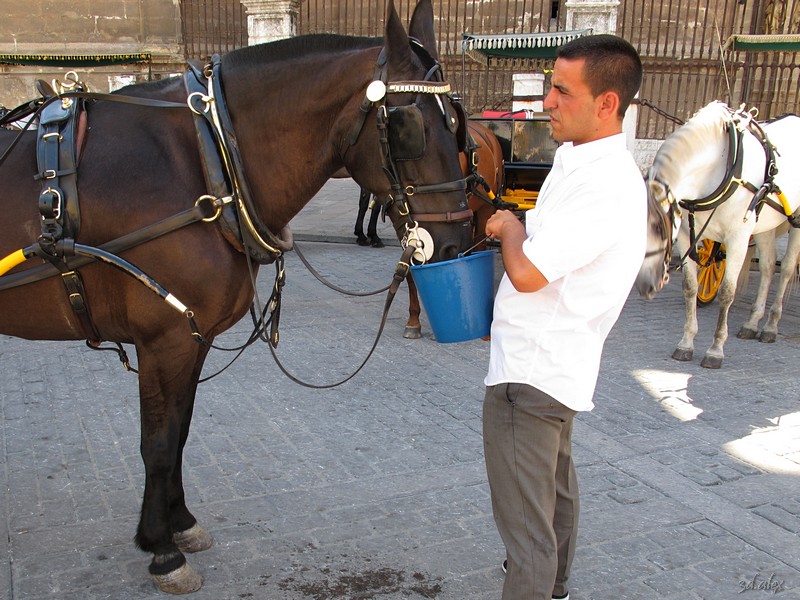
[(569, 270)]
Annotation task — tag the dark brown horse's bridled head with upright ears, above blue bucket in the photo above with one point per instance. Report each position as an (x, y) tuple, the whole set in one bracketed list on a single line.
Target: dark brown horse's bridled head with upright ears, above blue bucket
[(406, 138)]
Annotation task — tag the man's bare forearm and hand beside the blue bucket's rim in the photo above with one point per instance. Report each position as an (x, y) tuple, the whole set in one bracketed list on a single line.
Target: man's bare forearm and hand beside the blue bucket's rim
[(506, 227)]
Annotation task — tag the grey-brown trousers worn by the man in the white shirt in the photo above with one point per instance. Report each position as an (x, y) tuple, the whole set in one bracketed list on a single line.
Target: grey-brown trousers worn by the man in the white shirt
[(528, 449)]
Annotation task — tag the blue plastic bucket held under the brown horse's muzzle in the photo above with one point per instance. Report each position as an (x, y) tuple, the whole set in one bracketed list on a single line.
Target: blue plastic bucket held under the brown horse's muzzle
[(458, 296)]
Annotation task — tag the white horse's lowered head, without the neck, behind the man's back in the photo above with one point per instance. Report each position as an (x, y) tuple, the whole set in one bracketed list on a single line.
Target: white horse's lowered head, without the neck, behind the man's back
[(663, 222)]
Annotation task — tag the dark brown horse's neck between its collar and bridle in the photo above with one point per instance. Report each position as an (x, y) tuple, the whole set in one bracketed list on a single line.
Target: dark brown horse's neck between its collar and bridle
[(288, 124)]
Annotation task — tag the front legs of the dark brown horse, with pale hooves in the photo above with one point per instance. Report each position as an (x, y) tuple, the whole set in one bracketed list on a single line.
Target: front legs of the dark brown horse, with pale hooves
[(168, 374)]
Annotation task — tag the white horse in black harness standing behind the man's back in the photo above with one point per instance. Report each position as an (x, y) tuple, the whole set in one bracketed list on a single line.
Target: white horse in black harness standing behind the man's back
[(726, 177)]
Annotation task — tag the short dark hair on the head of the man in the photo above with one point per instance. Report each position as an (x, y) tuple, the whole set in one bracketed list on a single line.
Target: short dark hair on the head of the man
[(612, 64)]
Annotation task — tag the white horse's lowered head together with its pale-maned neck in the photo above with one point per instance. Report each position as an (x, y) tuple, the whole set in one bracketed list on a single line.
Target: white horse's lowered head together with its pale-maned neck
[(689, 164)]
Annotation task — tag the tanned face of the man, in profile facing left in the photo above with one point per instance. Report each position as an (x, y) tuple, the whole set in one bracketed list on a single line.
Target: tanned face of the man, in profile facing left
[(573, 116)]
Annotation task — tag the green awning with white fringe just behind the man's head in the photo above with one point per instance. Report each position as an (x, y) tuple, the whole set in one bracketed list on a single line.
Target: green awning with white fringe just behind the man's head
[(518, 46)]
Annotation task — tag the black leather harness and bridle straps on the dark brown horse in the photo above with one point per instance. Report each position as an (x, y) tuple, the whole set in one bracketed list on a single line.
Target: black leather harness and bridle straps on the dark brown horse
[(61, 121)]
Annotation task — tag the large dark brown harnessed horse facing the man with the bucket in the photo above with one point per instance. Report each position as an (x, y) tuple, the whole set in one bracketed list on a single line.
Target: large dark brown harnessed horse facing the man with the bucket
[(139, 164)]
